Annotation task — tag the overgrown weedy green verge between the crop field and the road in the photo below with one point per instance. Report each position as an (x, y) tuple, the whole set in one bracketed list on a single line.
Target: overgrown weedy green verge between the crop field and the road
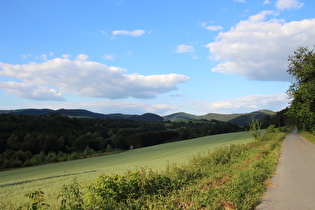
[(231, 177)]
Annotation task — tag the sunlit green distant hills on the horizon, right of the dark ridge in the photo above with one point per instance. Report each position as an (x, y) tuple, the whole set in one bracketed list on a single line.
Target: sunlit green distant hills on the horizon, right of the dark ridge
[(239, 119)]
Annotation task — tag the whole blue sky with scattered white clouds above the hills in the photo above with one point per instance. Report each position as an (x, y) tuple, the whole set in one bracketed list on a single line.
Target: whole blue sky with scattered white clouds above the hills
[(157, 56)]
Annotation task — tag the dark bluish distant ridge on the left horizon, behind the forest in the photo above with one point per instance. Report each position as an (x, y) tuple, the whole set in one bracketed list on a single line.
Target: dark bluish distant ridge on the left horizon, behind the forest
[(84, 113)]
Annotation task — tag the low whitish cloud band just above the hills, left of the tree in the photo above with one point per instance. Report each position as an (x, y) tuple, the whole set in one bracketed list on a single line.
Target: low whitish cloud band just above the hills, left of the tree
[(275, 102)]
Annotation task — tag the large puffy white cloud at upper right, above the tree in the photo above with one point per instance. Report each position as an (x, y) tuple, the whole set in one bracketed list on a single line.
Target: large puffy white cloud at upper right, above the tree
[(258, 49)]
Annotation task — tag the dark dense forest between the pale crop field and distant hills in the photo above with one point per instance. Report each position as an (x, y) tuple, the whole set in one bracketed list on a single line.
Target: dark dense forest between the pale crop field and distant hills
[(33, 140)]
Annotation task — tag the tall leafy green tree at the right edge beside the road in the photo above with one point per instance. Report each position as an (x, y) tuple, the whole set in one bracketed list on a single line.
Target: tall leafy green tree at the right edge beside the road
[(302, 90)]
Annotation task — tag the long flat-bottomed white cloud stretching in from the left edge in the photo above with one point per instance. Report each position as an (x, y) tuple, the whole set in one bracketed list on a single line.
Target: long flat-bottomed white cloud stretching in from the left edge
[(83, 78)]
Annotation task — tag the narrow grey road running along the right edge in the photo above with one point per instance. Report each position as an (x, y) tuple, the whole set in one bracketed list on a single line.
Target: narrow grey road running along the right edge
[(295, 177)]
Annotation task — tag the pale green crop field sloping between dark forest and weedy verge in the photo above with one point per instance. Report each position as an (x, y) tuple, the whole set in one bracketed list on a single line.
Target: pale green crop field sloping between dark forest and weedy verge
[(15, 183)]
